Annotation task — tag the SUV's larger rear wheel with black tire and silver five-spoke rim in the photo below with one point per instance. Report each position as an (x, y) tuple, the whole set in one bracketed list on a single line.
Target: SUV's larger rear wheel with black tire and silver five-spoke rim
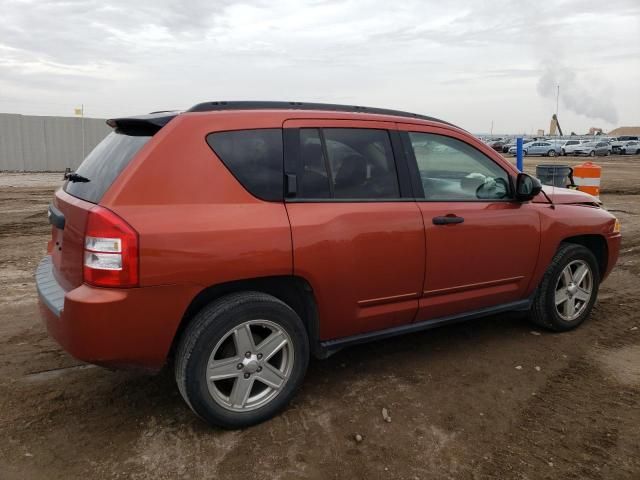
[(218, 333)]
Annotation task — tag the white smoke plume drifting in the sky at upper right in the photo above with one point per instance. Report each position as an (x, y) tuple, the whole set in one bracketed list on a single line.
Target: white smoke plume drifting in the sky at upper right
[(588, 97)]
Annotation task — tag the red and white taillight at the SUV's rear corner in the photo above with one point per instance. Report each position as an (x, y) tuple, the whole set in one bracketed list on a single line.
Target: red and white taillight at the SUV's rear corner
[(110, 250)]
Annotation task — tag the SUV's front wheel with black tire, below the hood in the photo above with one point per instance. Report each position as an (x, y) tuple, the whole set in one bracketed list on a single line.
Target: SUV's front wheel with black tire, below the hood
[(544, 311)]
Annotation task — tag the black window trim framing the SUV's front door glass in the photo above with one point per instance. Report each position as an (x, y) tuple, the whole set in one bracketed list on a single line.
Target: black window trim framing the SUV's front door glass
[(415, 171)]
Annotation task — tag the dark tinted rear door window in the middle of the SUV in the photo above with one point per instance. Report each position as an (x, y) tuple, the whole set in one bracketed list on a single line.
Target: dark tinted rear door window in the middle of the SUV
[(347, 163)]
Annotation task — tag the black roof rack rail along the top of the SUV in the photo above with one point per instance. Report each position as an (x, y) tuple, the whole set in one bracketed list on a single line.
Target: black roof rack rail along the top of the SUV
[(269, 105)]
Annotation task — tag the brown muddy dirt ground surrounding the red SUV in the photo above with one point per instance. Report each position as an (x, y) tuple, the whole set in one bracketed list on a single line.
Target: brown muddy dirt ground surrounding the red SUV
[(492, 398)]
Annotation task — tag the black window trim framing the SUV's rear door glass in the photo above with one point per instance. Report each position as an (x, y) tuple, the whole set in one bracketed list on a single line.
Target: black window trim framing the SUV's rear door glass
[(293, 165)]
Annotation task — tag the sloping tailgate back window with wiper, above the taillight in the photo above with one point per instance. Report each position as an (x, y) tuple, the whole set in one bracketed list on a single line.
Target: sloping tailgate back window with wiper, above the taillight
[(103, 165)]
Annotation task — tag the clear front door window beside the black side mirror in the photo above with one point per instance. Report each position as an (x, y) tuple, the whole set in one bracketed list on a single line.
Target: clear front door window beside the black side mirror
[(452, 170)]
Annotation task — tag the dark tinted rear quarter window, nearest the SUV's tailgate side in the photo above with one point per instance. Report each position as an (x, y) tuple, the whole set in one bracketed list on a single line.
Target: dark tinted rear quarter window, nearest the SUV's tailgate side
[(254, 157)]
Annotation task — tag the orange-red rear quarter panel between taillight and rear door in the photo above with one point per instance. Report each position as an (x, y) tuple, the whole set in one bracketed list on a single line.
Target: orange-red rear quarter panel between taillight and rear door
[(196, 223)]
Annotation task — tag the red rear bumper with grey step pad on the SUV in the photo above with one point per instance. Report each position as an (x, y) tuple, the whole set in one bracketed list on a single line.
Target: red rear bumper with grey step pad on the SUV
[(119, 328)]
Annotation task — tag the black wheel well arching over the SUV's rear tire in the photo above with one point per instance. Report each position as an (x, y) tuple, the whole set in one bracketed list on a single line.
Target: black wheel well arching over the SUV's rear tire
[(294, 291)]
